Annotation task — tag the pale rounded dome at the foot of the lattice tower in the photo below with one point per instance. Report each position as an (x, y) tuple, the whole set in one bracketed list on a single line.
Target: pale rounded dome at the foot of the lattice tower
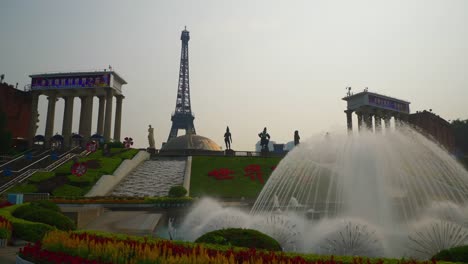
[(191, 142)]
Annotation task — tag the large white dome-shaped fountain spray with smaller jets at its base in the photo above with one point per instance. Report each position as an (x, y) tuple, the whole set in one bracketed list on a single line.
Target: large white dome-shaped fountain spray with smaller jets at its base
[(373, 194)]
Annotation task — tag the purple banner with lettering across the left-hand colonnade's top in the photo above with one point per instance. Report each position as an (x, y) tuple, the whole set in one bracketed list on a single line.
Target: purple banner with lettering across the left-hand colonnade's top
[(70, 82)]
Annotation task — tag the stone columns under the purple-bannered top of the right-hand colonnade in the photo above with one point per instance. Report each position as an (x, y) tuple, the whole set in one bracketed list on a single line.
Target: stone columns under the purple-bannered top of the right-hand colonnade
[(364, 118)]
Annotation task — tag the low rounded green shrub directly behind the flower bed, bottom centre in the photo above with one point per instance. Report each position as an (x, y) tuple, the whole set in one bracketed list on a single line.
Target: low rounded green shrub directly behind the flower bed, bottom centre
[(240, 238)]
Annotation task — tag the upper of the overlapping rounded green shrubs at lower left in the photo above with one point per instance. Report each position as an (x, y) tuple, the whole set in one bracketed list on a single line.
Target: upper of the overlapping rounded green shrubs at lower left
[(39, 214)]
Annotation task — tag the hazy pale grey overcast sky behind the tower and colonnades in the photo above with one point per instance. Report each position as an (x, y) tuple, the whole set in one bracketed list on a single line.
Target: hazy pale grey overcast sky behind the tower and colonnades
[(279, 64)]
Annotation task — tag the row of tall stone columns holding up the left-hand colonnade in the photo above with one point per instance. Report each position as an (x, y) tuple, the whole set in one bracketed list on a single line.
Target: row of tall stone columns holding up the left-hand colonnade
[(104, 121)]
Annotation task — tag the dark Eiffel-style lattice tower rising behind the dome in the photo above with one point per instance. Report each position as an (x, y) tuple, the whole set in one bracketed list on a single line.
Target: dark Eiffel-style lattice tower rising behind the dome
[(182, 118)]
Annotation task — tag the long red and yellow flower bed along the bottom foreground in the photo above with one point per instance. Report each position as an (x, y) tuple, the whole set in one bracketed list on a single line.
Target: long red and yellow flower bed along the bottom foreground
[(69, 247)]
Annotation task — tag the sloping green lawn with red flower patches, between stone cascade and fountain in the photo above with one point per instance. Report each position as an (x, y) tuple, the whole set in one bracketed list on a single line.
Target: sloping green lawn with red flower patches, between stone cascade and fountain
[(201, 184)]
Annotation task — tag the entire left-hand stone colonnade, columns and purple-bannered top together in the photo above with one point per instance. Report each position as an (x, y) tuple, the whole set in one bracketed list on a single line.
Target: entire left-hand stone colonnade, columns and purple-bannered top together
[(104, 85)]
